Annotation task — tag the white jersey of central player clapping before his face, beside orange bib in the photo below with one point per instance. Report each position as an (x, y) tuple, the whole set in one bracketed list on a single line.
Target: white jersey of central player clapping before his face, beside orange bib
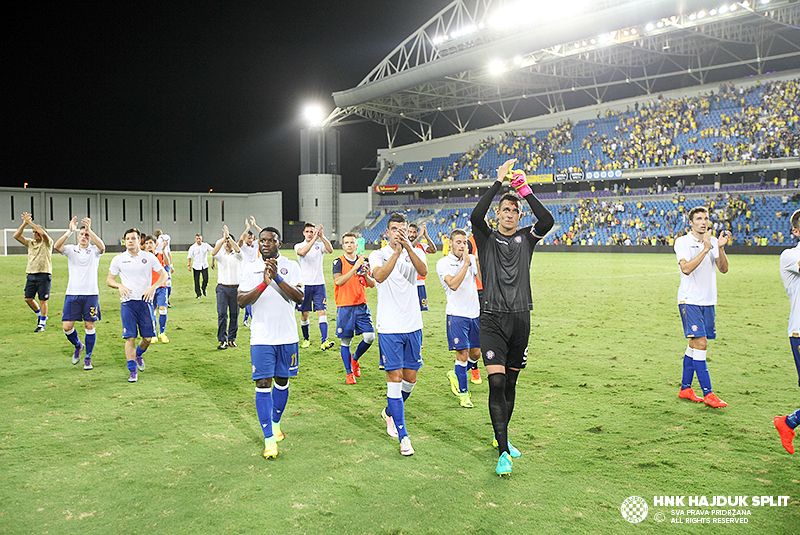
[(398, 301)]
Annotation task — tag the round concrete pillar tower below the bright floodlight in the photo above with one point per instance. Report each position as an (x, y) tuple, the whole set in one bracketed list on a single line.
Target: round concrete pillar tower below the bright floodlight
[(319, 182)]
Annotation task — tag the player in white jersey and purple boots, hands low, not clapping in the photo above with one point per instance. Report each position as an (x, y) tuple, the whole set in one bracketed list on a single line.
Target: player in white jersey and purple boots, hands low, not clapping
[(136, 292)]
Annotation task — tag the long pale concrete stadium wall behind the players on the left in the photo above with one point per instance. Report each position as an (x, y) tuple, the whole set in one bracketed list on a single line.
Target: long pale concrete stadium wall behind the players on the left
[(181, 215)]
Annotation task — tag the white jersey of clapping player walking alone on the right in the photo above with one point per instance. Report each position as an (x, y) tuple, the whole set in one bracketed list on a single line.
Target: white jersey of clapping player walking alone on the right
[(700, 286)]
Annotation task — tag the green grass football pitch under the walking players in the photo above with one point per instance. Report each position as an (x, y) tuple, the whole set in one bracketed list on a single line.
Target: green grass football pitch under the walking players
[(597, 419)]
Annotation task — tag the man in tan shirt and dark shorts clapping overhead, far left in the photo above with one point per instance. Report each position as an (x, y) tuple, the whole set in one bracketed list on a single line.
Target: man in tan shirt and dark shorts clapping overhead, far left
[(39, 269)]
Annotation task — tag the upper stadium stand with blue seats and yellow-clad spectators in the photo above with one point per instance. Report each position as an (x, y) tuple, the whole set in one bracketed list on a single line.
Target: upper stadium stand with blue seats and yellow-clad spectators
[(734, 124)]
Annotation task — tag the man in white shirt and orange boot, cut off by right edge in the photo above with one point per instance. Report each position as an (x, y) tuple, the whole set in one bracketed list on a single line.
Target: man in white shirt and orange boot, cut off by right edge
[(790, 274)]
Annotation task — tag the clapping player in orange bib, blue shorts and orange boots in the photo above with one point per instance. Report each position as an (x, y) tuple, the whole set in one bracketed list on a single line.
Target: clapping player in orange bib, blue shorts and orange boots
[(350, 276)]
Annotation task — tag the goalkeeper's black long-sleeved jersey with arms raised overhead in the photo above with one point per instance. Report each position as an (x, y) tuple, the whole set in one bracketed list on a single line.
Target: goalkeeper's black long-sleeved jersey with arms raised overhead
[(506, 260)]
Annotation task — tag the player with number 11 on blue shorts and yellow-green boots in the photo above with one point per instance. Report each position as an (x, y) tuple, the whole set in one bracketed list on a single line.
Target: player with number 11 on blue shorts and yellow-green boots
[(272, 284)]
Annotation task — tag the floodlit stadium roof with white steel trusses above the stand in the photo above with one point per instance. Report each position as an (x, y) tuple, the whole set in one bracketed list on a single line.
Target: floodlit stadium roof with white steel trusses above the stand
[(527, 58)]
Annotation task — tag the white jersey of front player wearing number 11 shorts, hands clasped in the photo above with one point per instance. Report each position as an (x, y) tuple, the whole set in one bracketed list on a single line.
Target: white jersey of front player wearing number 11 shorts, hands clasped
[(273, 320)]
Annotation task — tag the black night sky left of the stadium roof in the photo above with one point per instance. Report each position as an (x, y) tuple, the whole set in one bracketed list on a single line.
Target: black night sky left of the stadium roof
[(189, 97)]
